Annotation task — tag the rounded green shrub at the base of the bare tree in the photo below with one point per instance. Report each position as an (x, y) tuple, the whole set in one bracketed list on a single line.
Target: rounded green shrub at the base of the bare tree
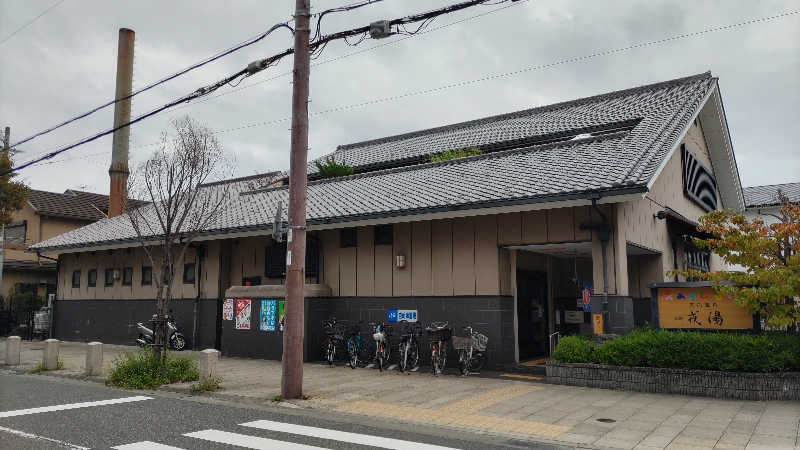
[(145, 370)]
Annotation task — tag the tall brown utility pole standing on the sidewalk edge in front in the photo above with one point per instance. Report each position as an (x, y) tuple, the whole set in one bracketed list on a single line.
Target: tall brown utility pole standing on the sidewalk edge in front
[(293, 335)]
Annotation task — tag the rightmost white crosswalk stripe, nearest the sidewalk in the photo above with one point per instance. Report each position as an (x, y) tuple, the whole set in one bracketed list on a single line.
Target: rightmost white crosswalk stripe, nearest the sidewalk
[(342, 436)]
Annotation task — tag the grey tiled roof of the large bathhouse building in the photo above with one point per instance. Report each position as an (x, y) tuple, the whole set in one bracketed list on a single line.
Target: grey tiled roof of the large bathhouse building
[(610, 164)]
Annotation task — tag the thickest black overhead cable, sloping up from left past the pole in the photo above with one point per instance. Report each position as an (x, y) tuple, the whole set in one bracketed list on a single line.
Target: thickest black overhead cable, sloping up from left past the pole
[(251, 69)]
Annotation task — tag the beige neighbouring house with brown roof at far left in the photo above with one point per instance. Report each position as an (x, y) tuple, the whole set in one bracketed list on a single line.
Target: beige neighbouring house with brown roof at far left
[(45, 215)]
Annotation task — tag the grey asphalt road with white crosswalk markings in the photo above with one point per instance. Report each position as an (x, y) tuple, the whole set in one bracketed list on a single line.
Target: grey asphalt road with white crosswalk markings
[(115, 418)]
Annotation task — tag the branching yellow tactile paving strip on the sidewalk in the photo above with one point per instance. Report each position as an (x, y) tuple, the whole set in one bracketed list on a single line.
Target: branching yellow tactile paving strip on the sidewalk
[(462, 413)]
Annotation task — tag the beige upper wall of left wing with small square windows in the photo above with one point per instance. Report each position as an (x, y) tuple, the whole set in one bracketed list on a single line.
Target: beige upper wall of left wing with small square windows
[(136, 259)]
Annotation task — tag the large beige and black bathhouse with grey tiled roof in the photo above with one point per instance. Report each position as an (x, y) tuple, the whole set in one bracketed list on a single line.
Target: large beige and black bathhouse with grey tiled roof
[(505, 241)]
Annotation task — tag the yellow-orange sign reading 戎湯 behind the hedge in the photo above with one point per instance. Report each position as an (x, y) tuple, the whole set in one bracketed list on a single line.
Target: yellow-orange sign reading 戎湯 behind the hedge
[(698, 307)]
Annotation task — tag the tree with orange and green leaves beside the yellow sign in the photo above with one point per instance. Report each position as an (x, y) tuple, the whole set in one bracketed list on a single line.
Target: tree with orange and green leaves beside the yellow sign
[(770, 255)]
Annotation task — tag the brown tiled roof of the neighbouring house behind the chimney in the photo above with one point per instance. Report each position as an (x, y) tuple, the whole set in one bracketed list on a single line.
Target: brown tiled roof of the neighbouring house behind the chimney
[(71, 204)]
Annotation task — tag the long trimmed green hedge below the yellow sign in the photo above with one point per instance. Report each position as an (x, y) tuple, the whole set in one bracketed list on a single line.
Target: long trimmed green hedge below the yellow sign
[(730, 352)]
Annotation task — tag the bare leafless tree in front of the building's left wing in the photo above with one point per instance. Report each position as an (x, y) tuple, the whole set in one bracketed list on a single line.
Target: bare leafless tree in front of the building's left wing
[(180, 204)]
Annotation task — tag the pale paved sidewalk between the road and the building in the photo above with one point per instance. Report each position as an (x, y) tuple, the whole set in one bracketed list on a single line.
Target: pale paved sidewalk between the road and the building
[(503, 406)]
